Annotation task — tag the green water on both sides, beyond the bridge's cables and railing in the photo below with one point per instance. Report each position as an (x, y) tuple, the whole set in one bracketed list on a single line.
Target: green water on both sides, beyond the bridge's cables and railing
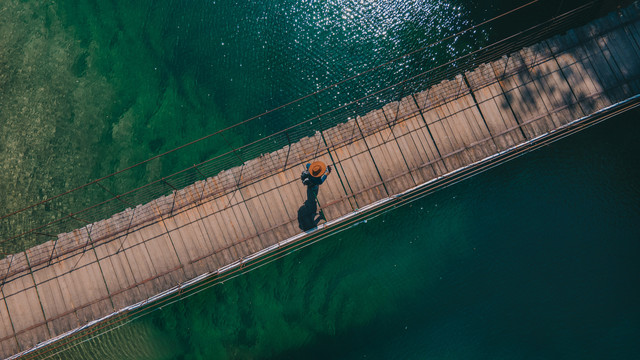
[(534, 259)]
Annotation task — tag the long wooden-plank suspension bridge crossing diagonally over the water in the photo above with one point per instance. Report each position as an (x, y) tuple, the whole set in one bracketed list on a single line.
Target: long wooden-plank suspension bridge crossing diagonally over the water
[(243, 215)]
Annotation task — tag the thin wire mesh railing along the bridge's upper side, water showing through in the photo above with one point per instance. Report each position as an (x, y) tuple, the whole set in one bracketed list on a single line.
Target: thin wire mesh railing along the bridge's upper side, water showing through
[(316, 112)]
